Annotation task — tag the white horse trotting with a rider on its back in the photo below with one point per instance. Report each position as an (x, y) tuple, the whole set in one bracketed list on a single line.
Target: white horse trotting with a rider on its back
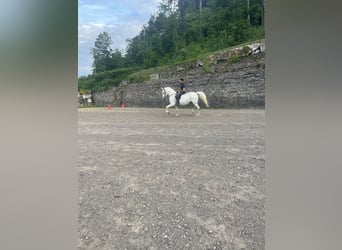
[(184, 100)]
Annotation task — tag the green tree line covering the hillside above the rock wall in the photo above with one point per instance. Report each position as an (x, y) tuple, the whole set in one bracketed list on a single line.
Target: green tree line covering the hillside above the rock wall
[(181, 29)]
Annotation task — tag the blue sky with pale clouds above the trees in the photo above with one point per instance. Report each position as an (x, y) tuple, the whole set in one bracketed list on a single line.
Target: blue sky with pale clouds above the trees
[(121, 19)]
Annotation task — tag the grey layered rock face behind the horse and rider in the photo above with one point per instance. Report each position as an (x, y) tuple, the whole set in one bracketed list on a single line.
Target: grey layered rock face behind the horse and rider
[(227, 85)]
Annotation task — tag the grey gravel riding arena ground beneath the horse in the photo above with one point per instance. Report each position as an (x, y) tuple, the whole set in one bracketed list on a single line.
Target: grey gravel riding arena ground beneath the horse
[(148, 180)]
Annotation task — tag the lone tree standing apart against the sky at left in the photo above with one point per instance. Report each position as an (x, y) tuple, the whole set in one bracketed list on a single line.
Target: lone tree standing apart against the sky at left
[(102, 53)]
